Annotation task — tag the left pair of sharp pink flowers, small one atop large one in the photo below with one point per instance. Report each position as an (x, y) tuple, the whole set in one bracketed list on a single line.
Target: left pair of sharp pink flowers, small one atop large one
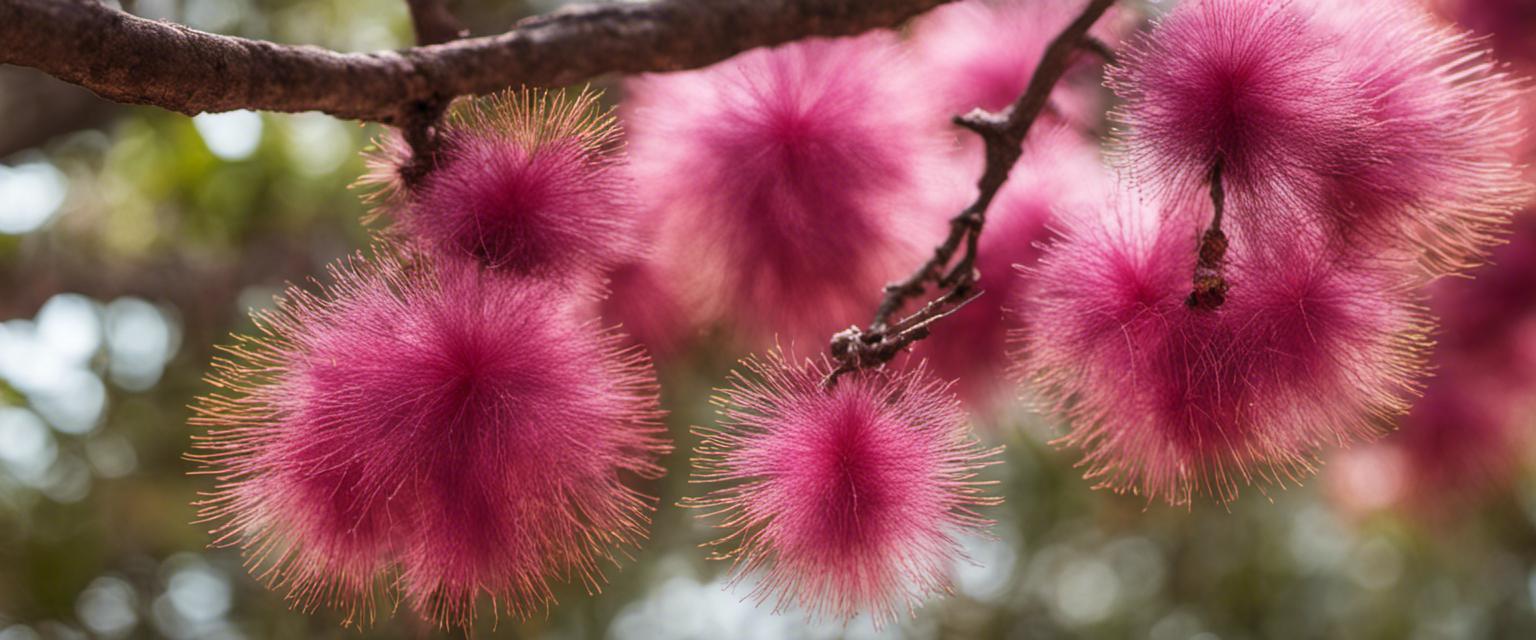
[(448, 420)]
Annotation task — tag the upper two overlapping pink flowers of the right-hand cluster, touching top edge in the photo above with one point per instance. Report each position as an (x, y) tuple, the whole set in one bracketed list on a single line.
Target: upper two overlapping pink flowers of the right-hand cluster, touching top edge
[(1366, 120)]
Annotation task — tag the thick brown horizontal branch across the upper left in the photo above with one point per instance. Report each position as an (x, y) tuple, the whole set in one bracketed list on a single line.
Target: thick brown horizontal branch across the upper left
[(144, 62)]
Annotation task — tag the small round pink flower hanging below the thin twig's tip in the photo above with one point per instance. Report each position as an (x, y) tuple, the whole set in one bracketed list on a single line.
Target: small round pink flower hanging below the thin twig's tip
[(841, 501)]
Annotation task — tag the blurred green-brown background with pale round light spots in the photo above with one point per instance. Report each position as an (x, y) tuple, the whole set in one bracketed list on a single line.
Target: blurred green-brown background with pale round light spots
[(134, 240)]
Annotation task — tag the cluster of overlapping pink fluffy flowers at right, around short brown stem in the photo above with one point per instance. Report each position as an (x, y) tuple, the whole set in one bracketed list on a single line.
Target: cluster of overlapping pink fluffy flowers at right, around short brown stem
[(1351, 153)]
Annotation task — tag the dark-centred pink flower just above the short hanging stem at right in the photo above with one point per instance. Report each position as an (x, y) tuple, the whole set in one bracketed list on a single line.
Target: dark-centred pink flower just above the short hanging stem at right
[(1251, 84)]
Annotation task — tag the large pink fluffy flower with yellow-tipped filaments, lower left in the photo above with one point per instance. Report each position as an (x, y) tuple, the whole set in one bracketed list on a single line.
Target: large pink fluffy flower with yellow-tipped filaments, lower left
[(429, 426)]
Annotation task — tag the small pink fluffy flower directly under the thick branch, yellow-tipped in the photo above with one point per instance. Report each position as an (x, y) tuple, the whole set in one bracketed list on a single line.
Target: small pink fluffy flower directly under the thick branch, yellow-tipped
[(529, 183)]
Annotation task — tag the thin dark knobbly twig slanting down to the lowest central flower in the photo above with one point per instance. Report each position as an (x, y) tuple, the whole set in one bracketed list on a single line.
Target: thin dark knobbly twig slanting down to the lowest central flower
[(1004, 136)]
